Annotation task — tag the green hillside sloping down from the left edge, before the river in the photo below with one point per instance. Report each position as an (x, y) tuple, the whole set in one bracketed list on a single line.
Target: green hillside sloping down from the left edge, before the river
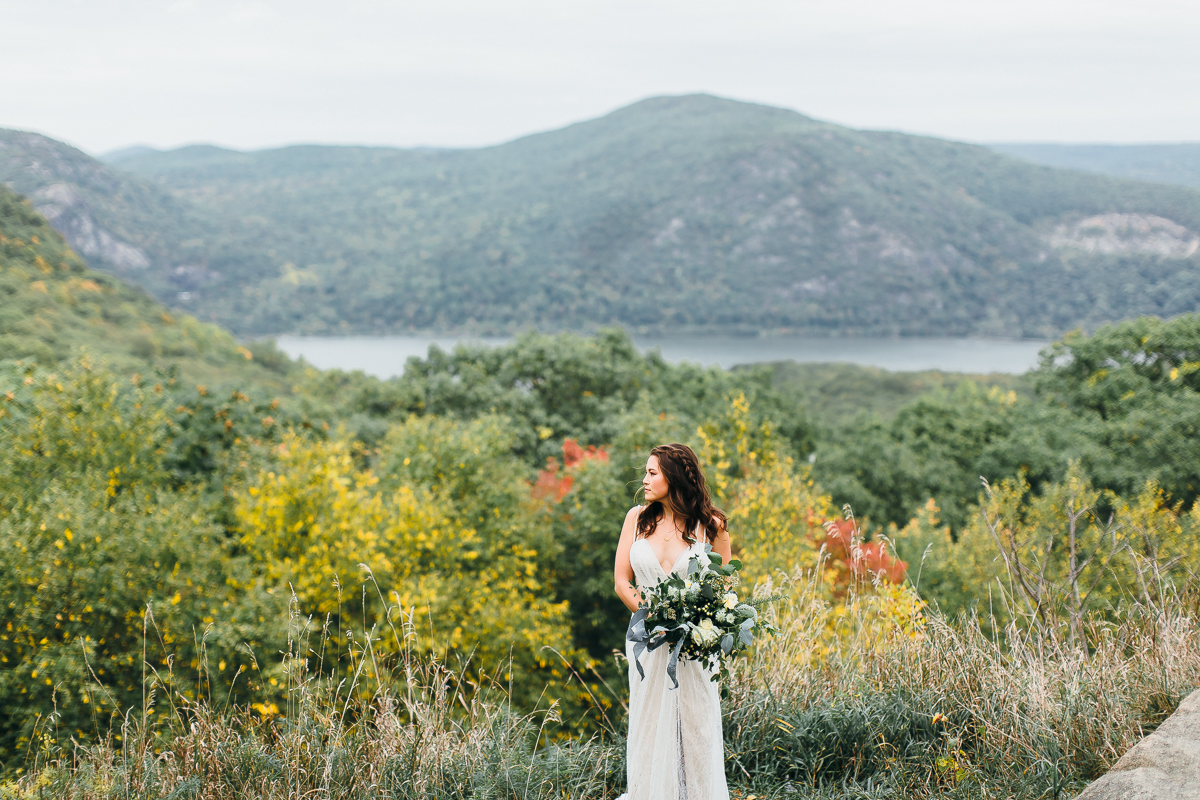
[(53, 308)]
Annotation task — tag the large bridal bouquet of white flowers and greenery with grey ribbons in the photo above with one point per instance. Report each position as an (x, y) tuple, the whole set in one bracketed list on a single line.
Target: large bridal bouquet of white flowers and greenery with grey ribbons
[(700, 617)]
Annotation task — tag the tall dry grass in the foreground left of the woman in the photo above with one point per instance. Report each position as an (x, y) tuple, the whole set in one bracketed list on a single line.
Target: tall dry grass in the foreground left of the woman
[(425, 732)]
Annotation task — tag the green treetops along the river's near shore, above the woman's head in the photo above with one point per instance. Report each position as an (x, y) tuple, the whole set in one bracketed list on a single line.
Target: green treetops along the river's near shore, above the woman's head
[(555, 388)]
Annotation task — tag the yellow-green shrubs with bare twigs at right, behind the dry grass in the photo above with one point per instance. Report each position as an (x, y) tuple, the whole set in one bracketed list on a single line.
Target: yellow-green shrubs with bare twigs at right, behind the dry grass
[(1057, 558)]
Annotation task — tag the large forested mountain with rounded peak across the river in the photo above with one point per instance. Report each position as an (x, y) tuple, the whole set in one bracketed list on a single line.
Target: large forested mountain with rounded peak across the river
[(676, 214)]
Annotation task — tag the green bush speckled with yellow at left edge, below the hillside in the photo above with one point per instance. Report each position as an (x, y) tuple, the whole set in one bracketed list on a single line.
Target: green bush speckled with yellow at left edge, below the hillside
[(118, 587)]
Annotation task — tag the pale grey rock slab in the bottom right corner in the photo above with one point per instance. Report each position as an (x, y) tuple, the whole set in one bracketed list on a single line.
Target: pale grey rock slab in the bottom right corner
[(1165, 766)]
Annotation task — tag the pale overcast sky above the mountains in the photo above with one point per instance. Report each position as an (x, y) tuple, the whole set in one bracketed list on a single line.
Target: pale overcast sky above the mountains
[(105, 75)]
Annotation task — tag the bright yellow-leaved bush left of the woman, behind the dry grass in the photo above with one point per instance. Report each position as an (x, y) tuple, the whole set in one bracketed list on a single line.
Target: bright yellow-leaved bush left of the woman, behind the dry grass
[(411, 551)]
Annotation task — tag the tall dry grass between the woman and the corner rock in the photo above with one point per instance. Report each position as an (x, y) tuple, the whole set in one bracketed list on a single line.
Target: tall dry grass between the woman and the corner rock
[(896, 705)]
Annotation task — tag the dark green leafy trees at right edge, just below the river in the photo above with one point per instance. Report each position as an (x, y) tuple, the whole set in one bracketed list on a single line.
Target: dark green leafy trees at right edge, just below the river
[(1124, 402)]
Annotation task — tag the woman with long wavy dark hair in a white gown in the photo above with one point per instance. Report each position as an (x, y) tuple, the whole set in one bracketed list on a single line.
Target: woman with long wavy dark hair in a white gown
[(675, 750)]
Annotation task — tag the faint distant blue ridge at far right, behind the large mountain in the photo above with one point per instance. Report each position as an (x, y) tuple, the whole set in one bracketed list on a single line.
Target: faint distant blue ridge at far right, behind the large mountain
[(1163, 164)]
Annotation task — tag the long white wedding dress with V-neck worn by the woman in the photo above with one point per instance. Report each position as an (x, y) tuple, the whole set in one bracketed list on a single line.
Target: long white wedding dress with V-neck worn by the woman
[(676, 749)]
